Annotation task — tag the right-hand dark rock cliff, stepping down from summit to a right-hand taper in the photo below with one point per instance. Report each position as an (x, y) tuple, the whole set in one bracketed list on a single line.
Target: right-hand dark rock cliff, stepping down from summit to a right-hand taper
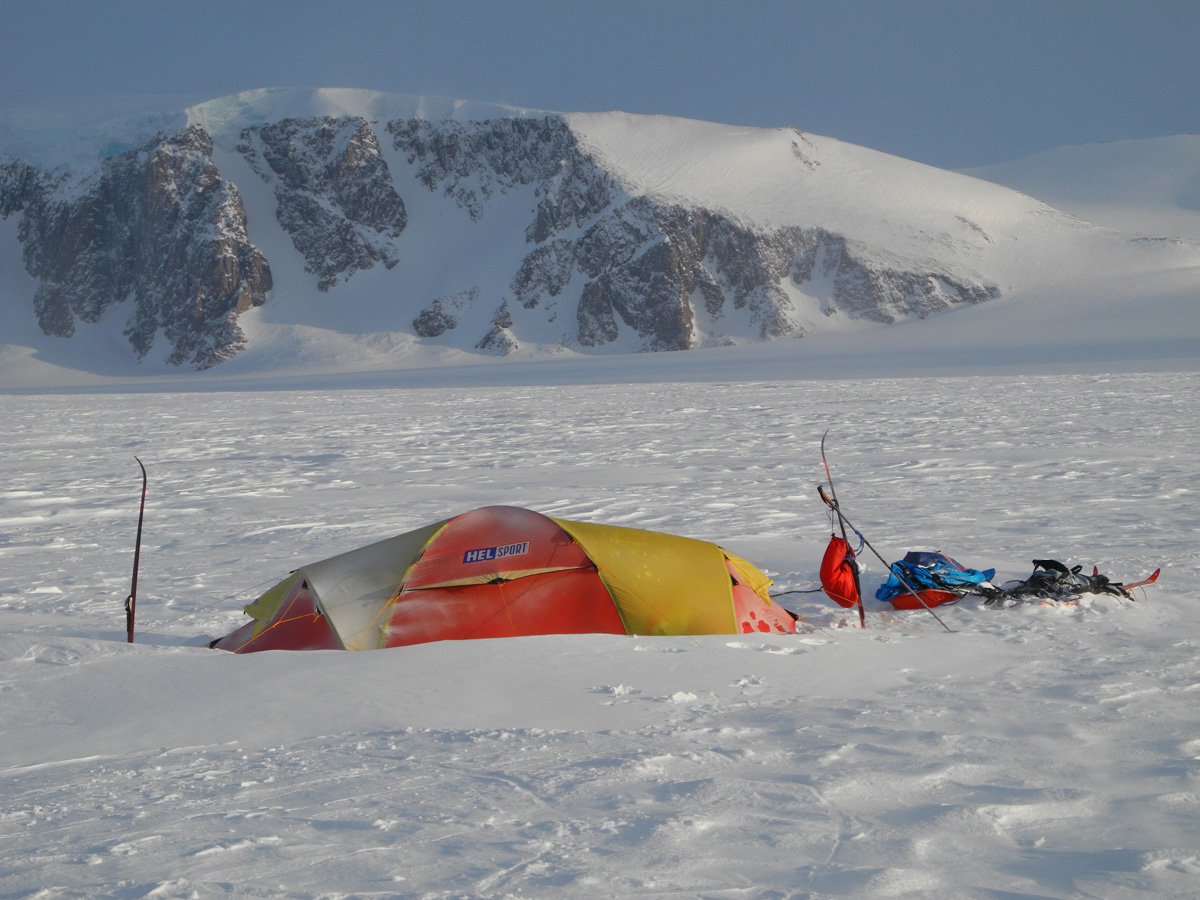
[(653, 267)]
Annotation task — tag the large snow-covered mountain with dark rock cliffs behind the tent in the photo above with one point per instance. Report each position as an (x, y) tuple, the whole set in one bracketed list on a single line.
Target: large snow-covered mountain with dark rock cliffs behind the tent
[(338, 230)]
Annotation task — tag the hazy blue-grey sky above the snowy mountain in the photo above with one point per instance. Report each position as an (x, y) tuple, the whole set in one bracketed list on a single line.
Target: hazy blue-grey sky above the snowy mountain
[(953, 83)]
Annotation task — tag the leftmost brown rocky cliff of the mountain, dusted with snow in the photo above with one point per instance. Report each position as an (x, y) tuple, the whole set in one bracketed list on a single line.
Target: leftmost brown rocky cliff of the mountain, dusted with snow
[(155, 226)]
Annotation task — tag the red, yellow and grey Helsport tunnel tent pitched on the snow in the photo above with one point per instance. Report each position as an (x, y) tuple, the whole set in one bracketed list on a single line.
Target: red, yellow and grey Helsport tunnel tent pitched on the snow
[(503, 572)]
